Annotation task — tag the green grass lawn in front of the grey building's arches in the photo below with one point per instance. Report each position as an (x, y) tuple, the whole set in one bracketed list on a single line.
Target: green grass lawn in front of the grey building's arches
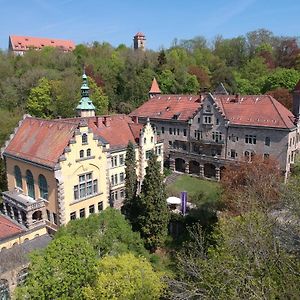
[(199, 191)]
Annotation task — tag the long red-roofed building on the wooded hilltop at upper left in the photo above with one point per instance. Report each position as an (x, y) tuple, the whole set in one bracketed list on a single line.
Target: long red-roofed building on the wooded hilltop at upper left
[(20, 44)]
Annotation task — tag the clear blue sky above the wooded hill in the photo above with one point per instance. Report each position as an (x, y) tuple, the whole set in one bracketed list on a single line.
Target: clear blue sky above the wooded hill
[(116, 21)]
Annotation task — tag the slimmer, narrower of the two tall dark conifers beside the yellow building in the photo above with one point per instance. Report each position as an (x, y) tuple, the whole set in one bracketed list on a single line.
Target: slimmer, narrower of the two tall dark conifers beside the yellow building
[(129, 208)]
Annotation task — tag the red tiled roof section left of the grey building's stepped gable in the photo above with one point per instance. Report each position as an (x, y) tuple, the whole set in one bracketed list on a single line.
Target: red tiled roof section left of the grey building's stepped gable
[(167, 106)]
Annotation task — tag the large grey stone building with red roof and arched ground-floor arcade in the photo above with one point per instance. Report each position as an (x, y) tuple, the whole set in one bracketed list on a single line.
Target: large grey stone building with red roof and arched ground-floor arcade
[(204, 133)]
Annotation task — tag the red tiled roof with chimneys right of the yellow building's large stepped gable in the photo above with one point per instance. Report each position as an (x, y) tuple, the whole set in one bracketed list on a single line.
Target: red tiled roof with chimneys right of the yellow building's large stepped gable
[(117, 130)]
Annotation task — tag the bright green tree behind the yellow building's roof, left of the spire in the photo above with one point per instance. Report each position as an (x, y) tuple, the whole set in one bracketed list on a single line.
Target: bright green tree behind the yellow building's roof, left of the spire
[(40, 103)]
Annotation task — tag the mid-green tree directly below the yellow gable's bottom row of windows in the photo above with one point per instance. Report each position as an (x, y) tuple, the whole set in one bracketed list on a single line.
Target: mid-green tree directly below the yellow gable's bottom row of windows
[(107, 232)]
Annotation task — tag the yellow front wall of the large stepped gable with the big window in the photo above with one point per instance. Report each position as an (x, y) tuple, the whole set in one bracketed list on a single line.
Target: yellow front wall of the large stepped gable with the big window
[(74, 166)]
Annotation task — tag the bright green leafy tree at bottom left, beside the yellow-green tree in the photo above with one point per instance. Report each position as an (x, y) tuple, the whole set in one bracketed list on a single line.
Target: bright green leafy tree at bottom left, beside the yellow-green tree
[(60, 271)]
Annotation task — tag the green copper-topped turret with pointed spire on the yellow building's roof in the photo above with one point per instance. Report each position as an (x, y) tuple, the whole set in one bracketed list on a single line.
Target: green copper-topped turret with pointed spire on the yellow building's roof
[(85, 108)]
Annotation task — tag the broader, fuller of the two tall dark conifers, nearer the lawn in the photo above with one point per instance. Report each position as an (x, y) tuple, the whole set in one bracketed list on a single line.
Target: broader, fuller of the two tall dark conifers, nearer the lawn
[(153, 215)]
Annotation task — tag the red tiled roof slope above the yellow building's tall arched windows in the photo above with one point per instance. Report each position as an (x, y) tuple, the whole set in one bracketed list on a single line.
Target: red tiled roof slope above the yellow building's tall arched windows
[(41, 141)]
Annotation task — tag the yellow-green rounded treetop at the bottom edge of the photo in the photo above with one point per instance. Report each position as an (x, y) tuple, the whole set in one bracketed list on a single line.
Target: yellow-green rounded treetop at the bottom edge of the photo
[(125, 277)]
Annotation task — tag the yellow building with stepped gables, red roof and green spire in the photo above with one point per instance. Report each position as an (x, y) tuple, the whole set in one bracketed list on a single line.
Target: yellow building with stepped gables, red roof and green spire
[(63, 169)]
